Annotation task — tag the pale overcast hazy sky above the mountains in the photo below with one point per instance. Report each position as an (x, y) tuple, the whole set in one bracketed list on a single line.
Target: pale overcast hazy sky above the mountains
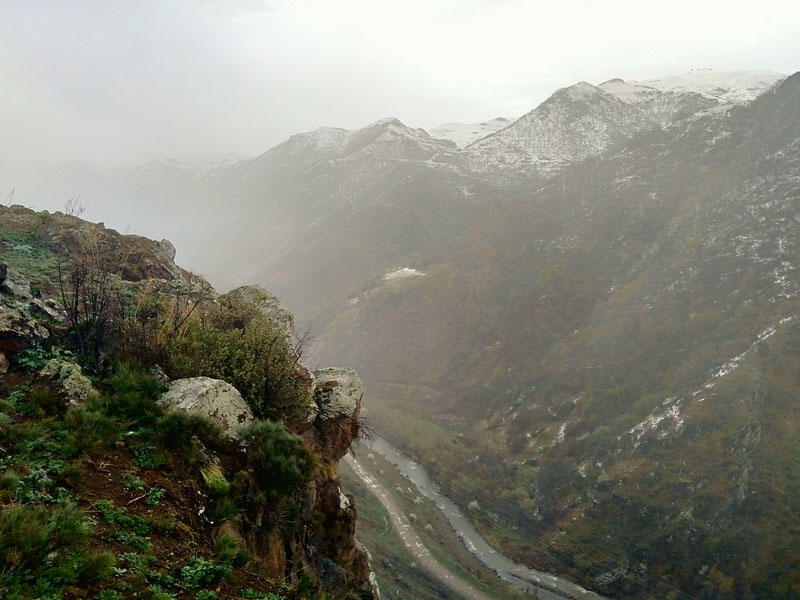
[(113, 82)]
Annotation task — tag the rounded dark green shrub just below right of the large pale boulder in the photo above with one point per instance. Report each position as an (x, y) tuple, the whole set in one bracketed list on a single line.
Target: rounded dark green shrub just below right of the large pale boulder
[(279, 461)]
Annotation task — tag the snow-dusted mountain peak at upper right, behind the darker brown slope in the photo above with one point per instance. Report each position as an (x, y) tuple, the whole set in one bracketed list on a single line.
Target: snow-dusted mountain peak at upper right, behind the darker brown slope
[(583, 120)]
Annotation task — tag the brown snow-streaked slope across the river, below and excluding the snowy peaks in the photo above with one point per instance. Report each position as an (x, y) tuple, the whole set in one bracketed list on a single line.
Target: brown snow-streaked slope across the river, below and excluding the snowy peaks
[(617, 342)]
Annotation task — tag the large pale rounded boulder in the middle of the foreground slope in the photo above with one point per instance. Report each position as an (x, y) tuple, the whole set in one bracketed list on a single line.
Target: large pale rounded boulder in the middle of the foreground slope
[(214, 399)]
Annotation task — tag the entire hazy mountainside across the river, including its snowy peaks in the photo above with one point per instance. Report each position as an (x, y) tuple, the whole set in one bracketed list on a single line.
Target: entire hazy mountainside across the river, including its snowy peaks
[(593, 307)]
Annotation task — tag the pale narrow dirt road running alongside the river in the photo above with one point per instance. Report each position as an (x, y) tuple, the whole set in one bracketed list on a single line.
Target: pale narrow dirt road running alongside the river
[(412, 541)]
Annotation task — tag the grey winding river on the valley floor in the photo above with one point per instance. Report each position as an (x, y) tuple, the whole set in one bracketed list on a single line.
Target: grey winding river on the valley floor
[(540, 584)]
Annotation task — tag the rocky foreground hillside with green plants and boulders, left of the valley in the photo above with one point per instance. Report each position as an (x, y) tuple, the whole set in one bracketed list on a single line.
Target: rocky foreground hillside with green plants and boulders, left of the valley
[(130, 466)]
